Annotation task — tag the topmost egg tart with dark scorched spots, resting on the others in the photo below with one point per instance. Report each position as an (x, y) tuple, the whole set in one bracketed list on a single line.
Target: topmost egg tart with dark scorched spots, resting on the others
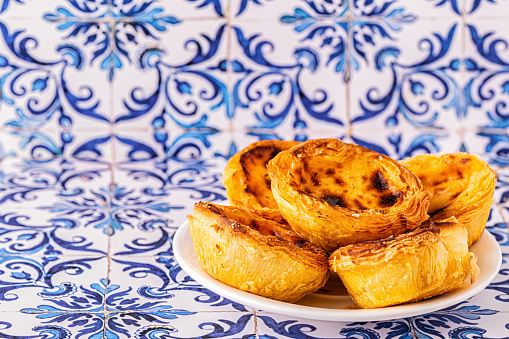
[(335, 194)]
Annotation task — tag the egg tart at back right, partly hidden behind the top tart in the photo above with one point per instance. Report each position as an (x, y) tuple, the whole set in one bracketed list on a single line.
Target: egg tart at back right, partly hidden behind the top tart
[(460, 185)]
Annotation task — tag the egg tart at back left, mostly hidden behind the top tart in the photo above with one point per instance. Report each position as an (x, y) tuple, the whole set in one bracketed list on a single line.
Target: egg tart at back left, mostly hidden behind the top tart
[(246, 180)]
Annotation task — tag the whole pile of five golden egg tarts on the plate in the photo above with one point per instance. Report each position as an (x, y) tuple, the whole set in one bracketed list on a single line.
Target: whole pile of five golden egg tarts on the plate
[(394, 232)]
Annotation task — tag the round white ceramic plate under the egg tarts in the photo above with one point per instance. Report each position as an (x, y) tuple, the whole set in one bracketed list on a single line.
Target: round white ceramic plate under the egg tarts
[(332, 302)]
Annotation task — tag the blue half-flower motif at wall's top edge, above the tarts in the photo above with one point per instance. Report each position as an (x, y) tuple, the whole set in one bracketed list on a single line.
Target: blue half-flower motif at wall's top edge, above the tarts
[(345, 29)]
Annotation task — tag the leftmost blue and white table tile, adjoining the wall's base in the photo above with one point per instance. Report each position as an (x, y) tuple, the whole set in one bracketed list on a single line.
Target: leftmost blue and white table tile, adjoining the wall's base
[(49, 209)]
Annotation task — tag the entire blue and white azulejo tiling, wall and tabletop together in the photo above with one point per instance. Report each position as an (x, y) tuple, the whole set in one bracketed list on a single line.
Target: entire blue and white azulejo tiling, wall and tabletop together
[(116, 116)]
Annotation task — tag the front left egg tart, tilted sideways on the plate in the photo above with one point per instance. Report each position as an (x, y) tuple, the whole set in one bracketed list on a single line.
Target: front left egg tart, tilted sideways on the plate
[(256, 254)]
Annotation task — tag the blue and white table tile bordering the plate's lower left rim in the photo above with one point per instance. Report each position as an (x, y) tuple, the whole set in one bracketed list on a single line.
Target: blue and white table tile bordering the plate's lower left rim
[(154, 283)]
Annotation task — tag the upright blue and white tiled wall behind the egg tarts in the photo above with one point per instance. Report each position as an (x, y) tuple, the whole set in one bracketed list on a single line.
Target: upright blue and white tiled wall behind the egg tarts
[(194, 80)]
